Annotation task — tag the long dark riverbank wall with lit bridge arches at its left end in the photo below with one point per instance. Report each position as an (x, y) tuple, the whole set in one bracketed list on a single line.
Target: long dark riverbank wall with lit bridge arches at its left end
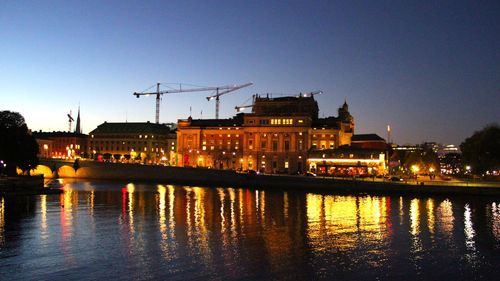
[(210, 177)]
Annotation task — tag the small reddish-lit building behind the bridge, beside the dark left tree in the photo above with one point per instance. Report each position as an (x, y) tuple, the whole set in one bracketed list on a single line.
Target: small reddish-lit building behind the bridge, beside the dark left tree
[(61, 144)]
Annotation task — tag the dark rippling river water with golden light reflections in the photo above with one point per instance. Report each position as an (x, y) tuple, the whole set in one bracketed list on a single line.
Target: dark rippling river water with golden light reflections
[(99, 231)]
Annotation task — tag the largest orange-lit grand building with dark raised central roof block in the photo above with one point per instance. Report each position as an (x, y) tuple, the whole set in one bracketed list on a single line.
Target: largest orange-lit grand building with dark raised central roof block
[(275, 138)]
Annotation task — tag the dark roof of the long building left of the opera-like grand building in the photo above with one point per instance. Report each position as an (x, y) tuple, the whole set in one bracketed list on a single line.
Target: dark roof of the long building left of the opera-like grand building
[(131, 128)]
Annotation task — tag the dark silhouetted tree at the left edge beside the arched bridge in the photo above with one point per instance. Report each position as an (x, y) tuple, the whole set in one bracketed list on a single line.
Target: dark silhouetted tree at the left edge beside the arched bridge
[(18, 148)]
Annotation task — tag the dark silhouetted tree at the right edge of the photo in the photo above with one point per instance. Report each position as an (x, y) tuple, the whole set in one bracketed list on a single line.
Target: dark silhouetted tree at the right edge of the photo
[(482, 150)]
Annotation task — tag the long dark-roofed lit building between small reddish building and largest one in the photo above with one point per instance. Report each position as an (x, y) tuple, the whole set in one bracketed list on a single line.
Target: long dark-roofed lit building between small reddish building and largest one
[(137, 142)]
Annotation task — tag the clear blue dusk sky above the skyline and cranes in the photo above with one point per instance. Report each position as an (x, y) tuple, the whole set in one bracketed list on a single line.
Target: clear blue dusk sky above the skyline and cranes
[(430, 69)]
